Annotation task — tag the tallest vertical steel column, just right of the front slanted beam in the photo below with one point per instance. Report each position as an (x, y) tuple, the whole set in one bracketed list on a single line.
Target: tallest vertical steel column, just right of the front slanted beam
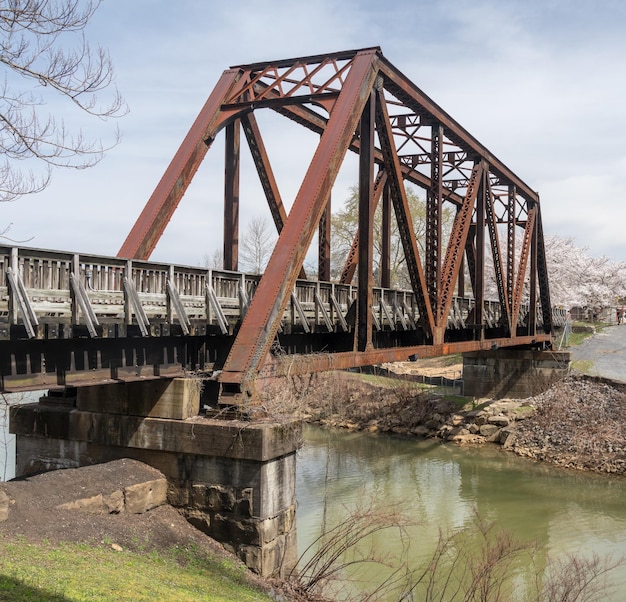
[(366, 226)]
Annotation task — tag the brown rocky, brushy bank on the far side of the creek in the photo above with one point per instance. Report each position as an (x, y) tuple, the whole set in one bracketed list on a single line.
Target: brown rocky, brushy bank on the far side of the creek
[(579, 423)]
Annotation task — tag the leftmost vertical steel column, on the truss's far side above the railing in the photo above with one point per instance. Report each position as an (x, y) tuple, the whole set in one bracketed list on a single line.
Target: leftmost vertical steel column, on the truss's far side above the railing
[(231, 196)]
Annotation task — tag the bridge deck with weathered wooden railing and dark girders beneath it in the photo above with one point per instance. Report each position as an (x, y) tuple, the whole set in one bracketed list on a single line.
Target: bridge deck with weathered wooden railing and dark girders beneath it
[(72, 319)]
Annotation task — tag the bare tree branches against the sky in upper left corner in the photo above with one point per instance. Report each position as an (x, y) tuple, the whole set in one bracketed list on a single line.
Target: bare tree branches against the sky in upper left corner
[(46, 58)]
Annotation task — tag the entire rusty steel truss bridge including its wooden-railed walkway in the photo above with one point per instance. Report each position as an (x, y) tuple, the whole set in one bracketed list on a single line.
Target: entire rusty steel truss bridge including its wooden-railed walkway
[(70, 319)]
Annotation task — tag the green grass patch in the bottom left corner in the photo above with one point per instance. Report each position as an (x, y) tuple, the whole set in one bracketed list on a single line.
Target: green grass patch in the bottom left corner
[(79, 572)]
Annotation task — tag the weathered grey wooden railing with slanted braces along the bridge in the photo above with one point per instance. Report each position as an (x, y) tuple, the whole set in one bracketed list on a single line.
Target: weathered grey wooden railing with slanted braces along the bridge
[(53, 294)]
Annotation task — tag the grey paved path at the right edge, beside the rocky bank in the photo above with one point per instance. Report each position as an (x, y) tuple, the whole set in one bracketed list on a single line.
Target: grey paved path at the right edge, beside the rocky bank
[(607, 352)]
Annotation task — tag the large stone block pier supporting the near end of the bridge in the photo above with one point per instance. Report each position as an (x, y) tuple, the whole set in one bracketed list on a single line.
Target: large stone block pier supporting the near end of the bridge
[(233, 479)]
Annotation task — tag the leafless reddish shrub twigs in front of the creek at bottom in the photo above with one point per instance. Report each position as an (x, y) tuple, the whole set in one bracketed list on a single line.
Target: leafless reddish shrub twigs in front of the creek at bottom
[(475, 562)]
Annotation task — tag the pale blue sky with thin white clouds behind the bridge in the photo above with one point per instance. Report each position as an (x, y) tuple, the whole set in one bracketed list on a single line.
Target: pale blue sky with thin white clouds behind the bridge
[(540, 83)]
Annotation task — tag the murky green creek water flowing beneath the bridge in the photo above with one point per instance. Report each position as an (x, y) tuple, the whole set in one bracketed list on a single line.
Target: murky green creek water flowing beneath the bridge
[(443, 487)]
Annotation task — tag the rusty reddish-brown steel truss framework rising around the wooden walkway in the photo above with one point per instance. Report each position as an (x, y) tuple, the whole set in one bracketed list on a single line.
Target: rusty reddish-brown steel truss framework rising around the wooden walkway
[(357, 101)]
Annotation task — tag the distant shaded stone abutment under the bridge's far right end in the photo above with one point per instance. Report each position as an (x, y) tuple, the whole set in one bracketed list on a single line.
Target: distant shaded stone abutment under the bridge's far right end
[(512, 373)]
